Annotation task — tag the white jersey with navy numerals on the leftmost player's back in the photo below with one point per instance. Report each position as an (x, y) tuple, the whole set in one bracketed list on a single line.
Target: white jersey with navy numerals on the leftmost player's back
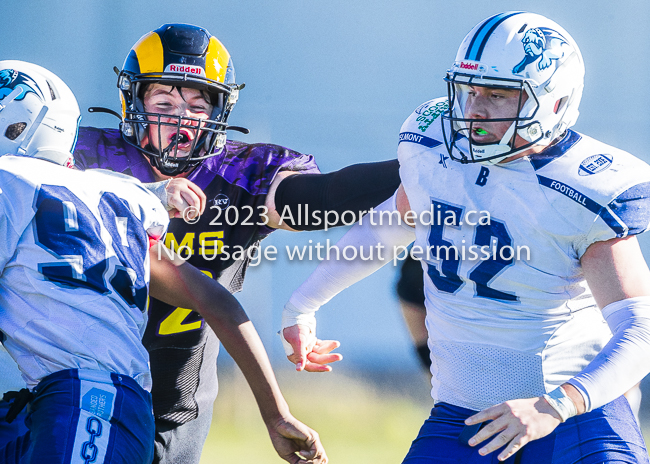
[(75, 268)]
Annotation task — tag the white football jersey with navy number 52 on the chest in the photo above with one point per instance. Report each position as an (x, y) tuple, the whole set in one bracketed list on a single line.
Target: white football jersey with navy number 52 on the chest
[(509, 312)]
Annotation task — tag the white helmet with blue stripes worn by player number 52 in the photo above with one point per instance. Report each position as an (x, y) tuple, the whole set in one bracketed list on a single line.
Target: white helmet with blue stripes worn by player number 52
[(521, 51)]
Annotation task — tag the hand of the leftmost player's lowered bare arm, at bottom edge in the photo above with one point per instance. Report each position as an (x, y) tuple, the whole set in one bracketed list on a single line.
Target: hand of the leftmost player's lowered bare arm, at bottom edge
[(296, 443)]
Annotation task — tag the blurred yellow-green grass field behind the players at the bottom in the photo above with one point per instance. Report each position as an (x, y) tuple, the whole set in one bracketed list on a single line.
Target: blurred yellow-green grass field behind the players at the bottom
[(359, 419)]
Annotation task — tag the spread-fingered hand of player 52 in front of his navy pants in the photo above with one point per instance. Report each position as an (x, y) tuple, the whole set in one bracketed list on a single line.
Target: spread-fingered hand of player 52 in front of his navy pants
[(514, 423)]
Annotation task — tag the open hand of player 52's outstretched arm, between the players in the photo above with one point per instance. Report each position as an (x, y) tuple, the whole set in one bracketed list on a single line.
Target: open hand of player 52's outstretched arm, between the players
[(310, 353)]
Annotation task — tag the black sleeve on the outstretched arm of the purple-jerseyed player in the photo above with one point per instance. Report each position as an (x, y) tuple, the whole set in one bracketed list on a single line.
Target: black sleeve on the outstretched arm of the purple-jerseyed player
[(348, 192)]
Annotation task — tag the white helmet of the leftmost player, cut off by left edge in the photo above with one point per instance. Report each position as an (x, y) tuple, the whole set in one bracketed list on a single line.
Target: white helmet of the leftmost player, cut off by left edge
[(39, 115)]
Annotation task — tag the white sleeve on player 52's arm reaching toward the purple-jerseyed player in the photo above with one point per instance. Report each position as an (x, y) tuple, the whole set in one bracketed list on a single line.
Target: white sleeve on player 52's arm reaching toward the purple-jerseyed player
[(332, 276)]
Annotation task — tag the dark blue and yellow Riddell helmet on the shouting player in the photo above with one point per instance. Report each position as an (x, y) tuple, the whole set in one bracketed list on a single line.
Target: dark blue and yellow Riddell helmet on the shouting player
[(179, 55)]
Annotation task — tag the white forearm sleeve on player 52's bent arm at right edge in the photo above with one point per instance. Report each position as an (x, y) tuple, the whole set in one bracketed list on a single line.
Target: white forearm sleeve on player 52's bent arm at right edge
[(625, 360)]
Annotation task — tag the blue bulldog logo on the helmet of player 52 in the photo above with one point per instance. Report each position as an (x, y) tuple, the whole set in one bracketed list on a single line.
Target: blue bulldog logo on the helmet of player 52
[(543, 45)]
